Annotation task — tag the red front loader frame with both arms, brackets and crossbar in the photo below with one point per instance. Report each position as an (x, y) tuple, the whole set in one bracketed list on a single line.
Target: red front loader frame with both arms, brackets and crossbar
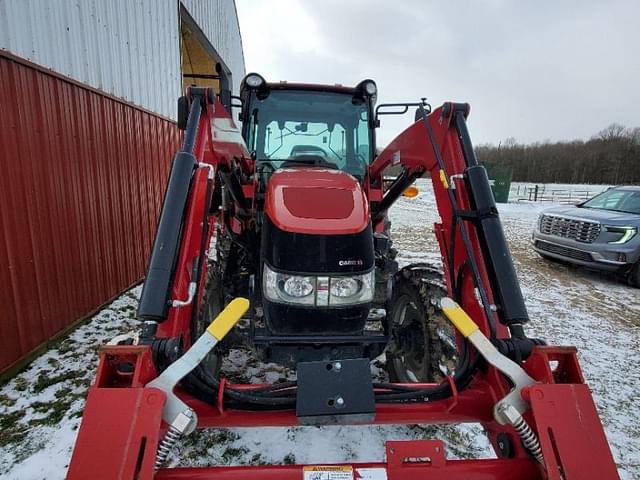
[(122, 423)]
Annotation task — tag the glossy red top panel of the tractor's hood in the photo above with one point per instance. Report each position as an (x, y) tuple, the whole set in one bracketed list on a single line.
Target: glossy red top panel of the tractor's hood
[(316, 201)]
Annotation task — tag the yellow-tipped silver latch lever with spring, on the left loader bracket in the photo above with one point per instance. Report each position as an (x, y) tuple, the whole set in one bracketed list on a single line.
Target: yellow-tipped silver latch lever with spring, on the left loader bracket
[(182, 420)]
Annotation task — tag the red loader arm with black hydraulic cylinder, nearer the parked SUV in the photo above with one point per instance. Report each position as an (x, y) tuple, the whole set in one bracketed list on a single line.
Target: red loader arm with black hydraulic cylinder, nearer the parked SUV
[(476, 258)]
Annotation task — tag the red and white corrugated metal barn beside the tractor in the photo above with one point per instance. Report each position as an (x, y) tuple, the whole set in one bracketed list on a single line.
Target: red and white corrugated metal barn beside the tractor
[(88, 92)]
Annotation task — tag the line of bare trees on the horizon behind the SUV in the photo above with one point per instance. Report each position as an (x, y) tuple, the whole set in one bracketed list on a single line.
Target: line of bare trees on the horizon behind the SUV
[(612, 156)]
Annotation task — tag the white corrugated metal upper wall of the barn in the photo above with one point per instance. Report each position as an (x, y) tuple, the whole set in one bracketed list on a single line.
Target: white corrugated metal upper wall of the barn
[(127, 48)]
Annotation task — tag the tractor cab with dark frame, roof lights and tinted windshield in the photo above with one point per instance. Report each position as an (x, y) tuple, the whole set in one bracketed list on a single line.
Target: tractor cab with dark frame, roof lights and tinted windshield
[(296, 125)]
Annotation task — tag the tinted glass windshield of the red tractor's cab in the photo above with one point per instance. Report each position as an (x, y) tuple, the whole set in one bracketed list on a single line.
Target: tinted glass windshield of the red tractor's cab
[(315, 128)]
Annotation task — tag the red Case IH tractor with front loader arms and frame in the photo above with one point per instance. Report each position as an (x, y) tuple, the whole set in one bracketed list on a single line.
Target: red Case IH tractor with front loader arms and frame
[(276, 239)]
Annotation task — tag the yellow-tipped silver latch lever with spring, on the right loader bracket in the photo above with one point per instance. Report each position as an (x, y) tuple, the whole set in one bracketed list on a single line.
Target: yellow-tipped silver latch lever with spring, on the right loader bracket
[(508, 410)]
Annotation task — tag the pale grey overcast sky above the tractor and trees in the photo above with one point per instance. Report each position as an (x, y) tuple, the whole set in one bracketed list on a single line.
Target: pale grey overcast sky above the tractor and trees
[(535, 70)]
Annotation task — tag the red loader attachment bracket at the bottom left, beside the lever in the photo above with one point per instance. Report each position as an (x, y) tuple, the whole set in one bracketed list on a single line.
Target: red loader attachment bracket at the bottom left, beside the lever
[(122, 420)]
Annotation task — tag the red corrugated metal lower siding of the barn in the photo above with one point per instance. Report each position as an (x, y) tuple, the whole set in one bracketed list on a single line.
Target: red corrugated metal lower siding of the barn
[(82, 176)]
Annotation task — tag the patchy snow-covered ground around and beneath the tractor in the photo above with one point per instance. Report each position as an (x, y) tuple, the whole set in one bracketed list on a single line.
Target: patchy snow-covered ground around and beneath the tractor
[(40, 409)]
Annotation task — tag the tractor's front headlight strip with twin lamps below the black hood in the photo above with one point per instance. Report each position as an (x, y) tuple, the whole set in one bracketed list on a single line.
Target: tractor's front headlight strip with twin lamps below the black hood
[(318, 290)]
